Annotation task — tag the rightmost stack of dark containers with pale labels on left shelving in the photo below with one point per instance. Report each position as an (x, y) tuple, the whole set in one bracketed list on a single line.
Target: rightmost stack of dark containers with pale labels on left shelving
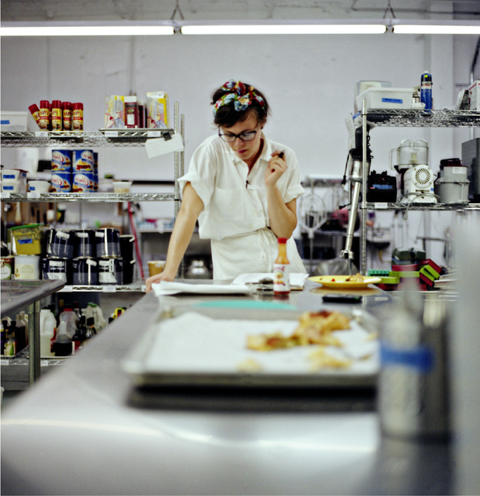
[(110, 261)]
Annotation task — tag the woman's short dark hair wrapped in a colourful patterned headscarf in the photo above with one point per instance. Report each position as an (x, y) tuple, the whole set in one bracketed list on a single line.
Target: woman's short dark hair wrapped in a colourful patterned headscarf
[(235, 101)]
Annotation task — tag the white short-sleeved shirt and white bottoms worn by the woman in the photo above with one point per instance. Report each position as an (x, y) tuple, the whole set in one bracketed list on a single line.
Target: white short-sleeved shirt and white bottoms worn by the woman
[(235, 213)]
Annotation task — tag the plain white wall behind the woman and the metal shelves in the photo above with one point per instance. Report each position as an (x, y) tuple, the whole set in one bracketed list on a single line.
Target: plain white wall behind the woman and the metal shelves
[(309, 81)]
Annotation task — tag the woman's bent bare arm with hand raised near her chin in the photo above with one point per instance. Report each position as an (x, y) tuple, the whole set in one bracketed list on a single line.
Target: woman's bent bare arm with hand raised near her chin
[(283, 216)]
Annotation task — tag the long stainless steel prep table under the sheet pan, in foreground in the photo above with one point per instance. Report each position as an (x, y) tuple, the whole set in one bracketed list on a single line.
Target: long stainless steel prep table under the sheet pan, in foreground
[(74, 433)]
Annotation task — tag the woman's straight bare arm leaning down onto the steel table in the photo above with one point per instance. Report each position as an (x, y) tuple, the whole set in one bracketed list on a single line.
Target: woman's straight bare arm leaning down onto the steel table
[(191, 208)]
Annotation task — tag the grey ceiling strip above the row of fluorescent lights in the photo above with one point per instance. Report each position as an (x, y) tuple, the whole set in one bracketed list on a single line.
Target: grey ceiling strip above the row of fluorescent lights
[(147, 10)]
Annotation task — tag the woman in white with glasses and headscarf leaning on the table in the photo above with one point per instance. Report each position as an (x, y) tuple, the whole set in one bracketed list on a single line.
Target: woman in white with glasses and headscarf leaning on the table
[(242, 188)]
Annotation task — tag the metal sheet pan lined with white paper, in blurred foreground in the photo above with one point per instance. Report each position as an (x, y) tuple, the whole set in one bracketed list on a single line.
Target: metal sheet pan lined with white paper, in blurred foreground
[(193, 348)]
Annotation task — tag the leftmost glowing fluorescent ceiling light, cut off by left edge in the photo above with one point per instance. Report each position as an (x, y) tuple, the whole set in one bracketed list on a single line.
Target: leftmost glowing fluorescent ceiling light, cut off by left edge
[(87, 30)]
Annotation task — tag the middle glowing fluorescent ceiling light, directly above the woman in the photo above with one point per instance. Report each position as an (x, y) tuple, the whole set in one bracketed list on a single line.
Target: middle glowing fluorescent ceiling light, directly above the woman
[(255, 29)]
